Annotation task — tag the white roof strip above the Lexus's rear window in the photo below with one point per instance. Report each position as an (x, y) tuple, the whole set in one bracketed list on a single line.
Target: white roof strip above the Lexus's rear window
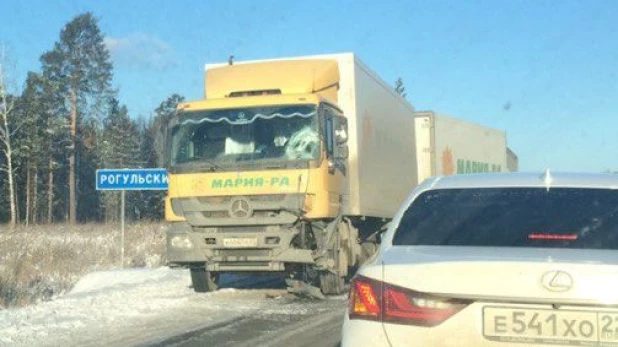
[(545, 179)]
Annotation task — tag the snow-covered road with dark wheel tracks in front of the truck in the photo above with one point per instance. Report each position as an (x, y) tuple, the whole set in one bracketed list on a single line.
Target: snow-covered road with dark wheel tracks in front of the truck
[(149, 307)]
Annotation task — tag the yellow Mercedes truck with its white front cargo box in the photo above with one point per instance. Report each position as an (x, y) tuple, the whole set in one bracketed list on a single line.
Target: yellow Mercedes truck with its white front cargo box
[(287, 165)]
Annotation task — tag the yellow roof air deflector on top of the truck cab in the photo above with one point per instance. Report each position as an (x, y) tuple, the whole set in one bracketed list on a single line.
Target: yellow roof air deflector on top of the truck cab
[(319, 76)]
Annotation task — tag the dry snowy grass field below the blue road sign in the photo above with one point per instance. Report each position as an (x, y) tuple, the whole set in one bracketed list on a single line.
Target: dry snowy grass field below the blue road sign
[(39, 263)]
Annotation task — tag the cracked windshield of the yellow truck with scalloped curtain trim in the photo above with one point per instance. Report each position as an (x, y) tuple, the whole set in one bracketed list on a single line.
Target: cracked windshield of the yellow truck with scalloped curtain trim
[(220, 138)]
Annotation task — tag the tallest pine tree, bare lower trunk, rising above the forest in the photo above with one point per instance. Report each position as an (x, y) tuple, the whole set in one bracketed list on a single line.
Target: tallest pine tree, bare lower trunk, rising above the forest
[(80, 69)]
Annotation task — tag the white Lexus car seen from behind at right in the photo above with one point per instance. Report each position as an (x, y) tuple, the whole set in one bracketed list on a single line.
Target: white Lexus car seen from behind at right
[(506, 259)]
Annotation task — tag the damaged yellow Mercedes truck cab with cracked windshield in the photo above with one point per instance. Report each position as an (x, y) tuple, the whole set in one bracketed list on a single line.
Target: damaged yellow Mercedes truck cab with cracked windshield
[(257, 171)]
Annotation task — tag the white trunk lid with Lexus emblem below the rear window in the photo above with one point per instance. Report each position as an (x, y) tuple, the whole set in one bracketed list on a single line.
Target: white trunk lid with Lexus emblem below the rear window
[(505, 274)]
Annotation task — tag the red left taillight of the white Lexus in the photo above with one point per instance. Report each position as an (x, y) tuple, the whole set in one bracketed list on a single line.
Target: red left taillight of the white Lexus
[(374, 300)]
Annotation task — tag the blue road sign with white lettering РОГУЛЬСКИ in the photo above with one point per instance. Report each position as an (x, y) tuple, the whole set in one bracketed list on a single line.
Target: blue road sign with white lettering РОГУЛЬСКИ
[(132, 179)]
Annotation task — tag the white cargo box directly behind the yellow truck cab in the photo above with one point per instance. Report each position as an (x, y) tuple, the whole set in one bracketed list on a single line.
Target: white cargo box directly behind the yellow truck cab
[(380, 123)]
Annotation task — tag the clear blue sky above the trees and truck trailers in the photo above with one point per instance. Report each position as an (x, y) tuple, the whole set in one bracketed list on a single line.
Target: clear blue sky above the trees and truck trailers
[(546, 72)]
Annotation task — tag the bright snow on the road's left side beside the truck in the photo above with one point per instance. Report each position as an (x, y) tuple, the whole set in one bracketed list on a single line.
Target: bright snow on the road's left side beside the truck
[(126, 307)]
